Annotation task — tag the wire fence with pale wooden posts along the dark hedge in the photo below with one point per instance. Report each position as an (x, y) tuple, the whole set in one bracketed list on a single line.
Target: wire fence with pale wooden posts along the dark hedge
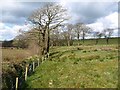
[(16, 82)]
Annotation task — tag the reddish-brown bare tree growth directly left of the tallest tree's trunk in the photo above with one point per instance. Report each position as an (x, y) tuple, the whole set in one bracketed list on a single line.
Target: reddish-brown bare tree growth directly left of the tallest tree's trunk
[(27, 39)]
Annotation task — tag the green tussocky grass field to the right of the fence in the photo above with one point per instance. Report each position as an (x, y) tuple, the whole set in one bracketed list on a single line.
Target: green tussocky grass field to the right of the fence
[(78, 67)]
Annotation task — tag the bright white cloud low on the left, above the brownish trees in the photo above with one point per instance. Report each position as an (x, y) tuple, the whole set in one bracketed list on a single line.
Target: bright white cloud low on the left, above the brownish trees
[(9, 32)]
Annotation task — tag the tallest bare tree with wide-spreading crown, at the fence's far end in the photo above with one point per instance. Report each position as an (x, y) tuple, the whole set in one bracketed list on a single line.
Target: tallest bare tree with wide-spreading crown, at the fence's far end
[(45, 19)]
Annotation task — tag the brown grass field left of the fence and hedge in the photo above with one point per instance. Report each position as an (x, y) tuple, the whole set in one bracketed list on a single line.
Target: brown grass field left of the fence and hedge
[(14, 55)]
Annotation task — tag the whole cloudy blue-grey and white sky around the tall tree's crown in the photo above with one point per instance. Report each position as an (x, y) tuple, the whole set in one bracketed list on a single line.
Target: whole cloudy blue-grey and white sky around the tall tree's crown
[(96, 14)]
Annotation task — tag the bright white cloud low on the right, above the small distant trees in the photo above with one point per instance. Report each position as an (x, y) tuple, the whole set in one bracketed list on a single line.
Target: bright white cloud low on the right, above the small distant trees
[(109, 21)]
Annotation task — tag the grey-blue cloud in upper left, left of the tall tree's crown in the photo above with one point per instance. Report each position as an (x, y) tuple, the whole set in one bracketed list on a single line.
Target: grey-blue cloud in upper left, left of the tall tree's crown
[(18, 12)]
